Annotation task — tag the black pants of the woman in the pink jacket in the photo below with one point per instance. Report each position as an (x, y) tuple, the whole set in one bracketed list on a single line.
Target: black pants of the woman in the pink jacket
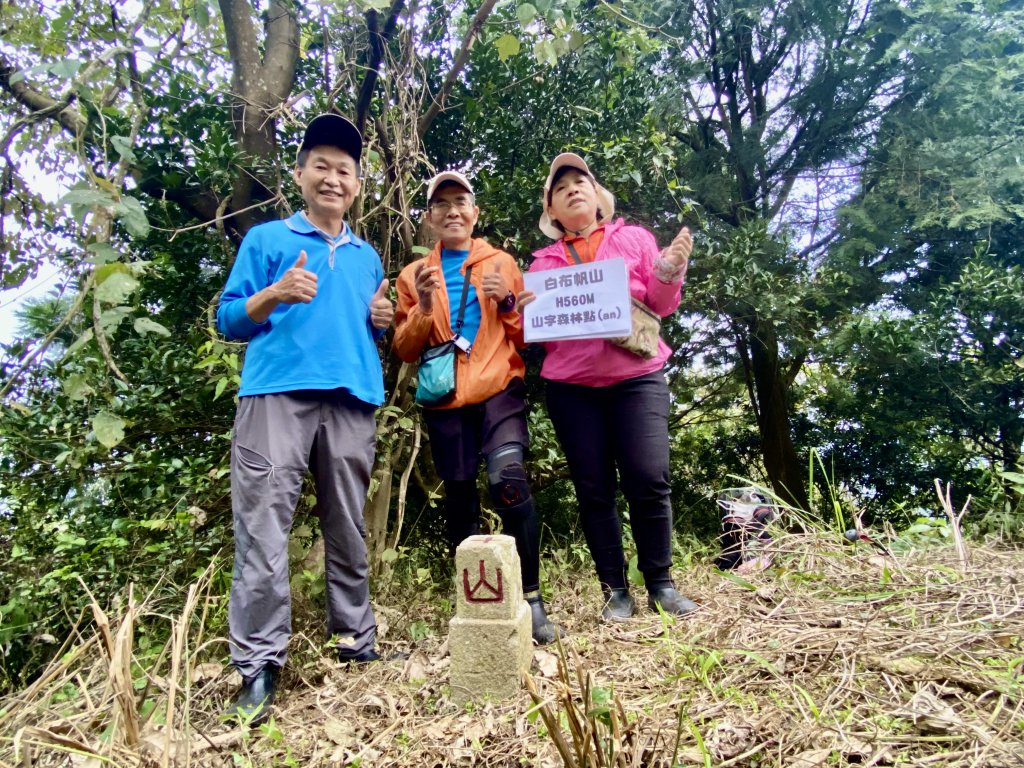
[(624, 426)]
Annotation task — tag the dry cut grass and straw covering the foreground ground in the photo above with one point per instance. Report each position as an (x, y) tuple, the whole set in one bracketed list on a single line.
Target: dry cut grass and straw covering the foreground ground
[(834, 657)]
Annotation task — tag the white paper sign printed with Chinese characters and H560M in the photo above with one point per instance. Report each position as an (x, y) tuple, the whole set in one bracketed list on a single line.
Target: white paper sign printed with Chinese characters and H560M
[(584, 302)]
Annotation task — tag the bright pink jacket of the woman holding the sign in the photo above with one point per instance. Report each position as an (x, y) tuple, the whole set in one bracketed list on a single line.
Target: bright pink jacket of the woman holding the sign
[(598, 363)]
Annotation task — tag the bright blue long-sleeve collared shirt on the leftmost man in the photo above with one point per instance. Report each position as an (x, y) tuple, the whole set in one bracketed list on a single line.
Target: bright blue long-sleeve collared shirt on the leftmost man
[(329, 344)]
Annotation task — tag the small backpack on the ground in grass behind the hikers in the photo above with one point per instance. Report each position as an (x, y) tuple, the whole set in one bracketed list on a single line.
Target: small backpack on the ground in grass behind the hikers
[(746, 516)]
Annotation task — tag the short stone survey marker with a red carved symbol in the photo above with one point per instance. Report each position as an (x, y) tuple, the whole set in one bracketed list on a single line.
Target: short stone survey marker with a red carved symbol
[(489, 638)]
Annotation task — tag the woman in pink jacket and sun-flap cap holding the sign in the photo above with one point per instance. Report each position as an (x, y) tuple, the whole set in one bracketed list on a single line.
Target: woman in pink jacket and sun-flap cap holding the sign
[(610, 406)]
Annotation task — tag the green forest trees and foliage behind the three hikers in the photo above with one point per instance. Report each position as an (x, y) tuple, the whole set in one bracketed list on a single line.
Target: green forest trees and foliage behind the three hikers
[(854, 321)]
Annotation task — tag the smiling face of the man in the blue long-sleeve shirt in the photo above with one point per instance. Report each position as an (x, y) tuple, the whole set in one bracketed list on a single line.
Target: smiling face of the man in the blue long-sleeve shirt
[(329, 182)]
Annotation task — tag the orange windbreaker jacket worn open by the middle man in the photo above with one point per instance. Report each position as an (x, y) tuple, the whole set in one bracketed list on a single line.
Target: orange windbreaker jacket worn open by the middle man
[(494, 362)]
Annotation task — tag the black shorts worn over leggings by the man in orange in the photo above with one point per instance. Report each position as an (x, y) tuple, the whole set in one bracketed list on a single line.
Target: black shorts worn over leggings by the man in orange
[(460, 437)]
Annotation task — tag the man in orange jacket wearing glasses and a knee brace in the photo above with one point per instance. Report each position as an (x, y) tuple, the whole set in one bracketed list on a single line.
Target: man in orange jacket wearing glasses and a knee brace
[(487, 413)]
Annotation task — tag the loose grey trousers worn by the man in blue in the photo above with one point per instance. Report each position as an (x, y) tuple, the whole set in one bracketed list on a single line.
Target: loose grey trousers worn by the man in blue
[(276, 438)]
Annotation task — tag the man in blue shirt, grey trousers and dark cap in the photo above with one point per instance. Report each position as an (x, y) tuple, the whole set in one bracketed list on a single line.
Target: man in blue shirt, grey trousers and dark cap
[(311, 298)]
